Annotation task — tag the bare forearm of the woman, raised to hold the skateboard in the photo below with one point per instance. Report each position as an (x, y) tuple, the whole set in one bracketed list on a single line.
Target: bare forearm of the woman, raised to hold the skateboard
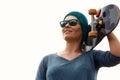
[(114, 44)]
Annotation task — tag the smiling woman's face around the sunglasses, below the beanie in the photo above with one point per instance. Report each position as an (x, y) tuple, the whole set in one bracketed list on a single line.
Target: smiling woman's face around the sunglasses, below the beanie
[(72, 32)]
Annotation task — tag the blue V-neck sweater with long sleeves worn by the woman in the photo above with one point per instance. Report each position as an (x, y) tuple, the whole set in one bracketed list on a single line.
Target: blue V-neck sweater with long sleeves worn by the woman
[(83, 67)]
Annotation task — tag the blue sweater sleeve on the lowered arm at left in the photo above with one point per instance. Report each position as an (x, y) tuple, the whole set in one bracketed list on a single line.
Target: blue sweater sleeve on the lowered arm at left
[(41, 73)]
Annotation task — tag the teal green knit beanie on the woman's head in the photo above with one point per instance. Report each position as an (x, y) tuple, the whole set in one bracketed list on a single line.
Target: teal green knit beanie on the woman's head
[(84, 23)]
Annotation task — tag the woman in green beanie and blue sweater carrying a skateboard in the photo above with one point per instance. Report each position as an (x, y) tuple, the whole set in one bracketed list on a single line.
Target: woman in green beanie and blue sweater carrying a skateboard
[(73, 63)]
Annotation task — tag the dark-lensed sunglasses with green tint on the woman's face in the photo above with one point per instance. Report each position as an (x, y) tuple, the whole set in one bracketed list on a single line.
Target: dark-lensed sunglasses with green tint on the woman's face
[(72, 22)]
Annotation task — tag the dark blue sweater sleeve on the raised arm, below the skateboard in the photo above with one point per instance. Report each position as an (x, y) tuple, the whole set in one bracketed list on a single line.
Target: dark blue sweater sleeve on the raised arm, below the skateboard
[(105, 59)]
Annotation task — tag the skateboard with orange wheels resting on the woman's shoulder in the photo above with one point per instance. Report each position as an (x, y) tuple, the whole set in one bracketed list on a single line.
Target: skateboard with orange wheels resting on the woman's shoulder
[(105, 22)]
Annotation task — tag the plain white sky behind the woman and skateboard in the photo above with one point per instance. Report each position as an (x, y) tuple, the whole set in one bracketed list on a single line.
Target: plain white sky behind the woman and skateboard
[(29, 30)]
